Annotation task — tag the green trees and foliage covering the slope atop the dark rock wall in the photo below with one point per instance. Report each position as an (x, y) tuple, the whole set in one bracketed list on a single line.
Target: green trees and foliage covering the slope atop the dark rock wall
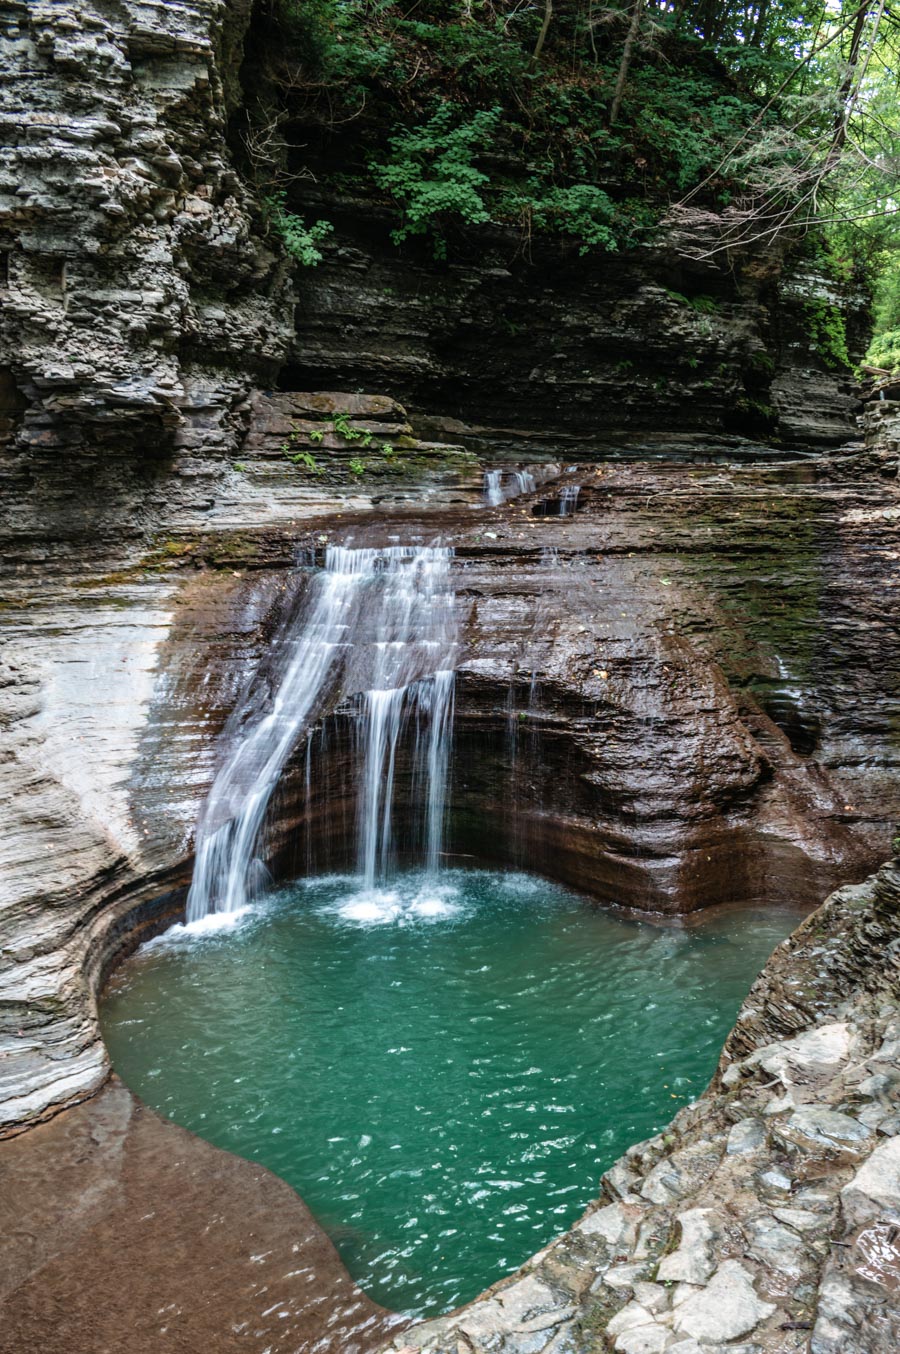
[(461, 127)]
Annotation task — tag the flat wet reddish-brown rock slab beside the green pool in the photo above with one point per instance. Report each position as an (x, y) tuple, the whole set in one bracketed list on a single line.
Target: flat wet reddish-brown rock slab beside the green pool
[(124, 1233)]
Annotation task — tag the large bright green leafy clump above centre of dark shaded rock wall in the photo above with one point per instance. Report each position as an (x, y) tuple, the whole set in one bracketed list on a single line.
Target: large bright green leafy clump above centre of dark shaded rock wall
[(432, 175)]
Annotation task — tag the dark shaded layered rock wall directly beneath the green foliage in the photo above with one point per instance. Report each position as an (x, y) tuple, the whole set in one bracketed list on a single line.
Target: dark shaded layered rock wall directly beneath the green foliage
[(573, 350)]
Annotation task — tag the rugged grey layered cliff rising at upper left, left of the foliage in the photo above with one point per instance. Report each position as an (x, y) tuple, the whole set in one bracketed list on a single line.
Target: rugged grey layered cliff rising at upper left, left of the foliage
[(140, 303)]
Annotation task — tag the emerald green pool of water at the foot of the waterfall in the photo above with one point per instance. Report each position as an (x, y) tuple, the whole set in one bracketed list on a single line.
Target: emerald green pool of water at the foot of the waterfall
[(442, 1073)]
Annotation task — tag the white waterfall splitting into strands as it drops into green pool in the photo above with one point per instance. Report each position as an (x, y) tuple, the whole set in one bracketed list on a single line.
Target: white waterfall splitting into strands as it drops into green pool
[(377, 621)]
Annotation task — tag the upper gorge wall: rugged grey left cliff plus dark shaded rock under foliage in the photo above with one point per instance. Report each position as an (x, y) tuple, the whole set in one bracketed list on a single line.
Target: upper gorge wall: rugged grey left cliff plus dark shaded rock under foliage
[(145, 301)]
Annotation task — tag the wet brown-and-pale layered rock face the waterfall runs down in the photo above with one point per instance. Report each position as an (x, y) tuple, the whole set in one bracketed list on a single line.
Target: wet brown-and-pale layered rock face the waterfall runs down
[(685, 694)]
